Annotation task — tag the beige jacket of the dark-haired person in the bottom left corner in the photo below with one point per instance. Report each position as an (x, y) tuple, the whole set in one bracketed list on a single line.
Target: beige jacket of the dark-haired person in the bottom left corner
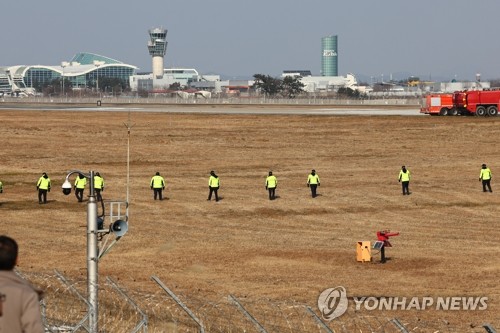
[(20, 307)]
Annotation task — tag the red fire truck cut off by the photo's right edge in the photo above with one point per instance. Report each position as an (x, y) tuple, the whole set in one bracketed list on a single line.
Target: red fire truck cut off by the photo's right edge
[(477, 102)]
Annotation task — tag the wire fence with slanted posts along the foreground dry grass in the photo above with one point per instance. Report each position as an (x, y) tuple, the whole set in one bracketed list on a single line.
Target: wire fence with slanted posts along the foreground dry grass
[(64, 309)]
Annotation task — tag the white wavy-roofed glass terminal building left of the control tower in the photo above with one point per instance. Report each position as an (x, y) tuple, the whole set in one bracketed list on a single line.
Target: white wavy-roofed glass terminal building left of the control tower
[(83, 71)]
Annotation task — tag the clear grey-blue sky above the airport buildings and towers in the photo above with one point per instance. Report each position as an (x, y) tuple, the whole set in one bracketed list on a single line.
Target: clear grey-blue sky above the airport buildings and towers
[(428, 38)]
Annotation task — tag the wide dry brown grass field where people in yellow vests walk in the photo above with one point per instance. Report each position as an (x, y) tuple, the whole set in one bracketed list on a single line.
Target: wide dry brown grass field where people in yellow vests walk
[(289, 249)]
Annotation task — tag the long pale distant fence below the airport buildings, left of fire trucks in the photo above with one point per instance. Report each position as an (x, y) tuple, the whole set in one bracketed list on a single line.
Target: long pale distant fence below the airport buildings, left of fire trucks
[(101, 101)]
